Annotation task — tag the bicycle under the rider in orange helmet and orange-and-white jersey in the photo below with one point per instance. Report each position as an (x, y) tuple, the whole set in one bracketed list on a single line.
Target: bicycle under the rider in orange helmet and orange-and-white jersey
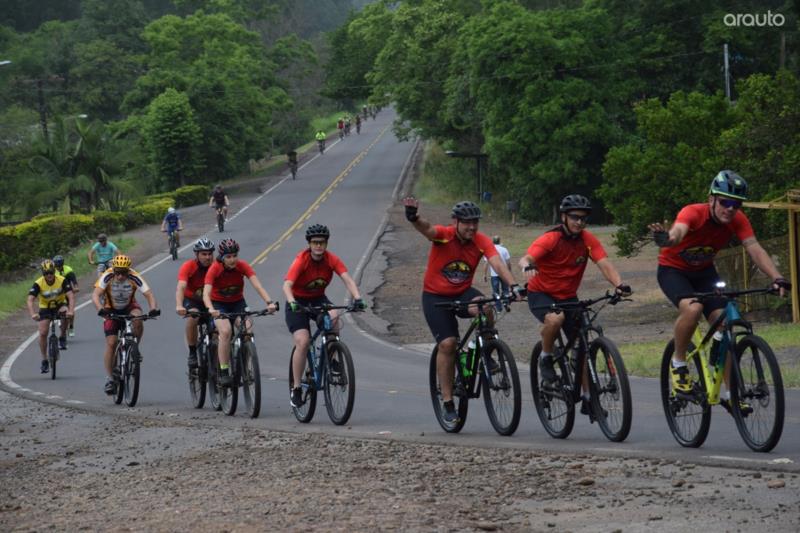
[(127, 359)]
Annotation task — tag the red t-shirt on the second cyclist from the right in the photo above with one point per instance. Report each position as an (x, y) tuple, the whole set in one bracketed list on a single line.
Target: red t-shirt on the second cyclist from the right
[(561, 260)]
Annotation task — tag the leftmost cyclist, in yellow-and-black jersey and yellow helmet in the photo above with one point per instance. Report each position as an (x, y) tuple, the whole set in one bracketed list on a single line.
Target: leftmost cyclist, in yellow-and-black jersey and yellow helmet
[(55, 298)]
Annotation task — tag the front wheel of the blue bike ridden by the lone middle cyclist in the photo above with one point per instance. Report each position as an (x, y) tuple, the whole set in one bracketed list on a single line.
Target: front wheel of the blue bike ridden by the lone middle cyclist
[(340, 387)]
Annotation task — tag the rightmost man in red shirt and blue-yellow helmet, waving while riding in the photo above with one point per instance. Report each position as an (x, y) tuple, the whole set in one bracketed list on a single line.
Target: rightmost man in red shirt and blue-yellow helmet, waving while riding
[(686, 262)]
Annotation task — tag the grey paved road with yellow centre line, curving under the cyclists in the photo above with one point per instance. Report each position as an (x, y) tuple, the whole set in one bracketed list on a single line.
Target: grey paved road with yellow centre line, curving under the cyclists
[(349, 189)]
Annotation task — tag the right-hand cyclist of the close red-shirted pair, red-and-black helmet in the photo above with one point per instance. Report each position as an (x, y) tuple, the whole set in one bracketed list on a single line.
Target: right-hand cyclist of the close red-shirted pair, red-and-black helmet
[(223, 292)]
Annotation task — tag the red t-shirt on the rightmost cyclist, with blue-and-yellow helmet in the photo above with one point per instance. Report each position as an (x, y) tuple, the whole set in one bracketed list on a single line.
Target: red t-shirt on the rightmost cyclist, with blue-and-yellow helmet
[(705, 238)]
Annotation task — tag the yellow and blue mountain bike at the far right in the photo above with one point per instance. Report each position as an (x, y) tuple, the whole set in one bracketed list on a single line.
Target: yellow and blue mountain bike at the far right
[(755, 384)]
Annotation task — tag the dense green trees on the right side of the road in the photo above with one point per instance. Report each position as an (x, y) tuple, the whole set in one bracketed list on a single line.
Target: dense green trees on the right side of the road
[(620, 100)]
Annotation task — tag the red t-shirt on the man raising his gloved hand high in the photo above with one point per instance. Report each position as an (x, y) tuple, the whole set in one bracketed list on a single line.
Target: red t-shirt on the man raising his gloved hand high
[(452, 263)]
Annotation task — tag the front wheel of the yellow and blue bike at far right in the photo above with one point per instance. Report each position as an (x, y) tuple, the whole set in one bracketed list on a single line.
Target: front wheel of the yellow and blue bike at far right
[(757, 383)]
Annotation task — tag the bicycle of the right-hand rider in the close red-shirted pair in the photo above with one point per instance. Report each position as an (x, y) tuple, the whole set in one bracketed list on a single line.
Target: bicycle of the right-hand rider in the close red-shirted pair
[(244, 369)]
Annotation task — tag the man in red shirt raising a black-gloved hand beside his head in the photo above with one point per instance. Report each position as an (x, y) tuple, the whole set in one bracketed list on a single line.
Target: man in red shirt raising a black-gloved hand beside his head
[(455, 253)]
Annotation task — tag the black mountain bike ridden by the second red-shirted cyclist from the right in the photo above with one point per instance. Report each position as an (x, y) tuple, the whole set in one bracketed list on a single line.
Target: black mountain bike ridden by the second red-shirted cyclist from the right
[(586, 359)]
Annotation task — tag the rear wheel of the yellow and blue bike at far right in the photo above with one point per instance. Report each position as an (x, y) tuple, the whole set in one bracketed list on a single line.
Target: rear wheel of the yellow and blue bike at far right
[(688, 417)]
